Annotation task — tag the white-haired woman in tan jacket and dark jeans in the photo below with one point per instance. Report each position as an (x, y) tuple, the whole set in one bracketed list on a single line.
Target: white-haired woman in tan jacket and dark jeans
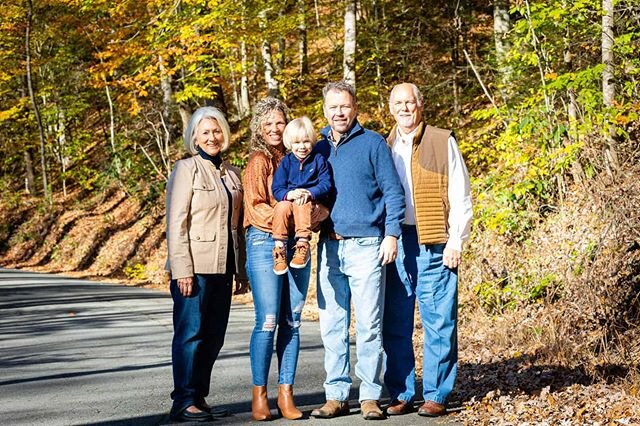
[(205, 250)]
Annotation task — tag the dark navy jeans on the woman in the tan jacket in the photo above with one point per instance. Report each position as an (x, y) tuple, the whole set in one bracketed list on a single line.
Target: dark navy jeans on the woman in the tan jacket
[(199, 325)]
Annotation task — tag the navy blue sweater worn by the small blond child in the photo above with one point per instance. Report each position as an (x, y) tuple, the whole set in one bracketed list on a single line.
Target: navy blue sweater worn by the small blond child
[(311, 174)]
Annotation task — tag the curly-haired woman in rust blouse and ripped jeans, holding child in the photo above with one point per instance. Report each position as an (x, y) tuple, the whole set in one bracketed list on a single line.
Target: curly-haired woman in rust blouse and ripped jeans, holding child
[(278, 299)]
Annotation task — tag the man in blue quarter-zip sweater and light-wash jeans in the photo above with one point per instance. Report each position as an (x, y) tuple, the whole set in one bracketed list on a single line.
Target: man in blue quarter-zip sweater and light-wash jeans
[(361, 238)]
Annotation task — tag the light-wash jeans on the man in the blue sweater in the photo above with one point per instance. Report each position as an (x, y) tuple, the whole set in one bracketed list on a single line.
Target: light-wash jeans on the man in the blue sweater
[(349, 271)]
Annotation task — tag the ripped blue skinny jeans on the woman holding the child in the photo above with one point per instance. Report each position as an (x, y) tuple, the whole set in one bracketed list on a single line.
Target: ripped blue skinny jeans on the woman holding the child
[(278, 302)]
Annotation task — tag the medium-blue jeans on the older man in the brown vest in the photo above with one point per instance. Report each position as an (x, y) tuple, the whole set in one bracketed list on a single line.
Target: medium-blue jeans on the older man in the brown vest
[(419, 273)]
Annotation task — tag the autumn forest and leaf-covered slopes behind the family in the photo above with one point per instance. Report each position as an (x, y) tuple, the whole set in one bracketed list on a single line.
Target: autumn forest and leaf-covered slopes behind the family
[(542, 95)]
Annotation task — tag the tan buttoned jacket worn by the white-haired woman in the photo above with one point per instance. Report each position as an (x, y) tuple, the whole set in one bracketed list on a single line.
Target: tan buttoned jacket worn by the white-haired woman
[(197, 217)]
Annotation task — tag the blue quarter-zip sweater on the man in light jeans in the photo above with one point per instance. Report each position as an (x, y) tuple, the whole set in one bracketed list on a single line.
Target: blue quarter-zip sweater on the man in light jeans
[(369, 199)]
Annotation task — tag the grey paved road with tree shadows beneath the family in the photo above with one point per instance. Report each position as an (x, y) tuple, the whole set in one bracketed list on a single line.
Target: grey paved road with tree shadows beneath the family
[(79, 352)]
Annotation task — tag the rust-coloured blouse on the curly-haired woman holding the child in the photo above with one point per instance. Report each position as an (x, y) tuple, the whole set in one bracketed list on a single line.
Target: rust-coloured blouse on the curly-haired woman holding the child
[(258, 197)]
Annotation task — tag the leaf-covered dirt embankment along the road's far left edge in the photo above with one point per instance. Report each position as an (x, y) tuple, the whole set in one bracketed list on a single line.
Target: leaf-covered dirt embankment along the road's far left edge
[(105, 234)]
